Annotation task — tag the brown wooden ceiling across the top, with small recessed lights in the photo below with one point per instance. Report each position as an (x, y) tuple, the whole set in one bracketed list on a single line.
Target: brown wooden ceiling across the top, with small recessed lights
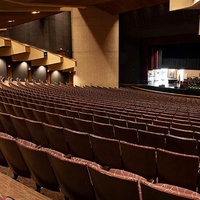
[(20, 10)]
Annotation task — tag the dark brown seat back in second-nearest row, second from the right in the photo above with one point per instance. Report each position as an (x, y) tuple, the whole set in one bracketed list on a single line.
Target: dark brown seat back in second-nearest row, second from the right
[(139, 159)]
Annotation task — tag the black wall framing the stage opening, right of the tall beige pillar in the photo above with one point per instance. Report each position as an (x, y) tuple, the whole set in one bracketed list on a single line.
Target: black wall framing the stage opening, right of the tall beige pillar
[(156, 26)]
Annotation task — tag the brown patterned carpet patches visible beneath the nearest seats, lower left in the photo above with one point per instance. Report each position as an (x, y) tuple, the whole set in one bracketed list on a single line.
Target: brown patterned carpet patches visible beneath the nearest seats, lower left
[(30, 183)]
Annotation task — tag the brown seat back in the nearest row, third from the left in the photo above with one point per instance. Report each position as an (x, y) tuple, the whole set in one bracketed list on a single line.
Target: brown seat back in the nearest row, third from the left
[(72, 175)]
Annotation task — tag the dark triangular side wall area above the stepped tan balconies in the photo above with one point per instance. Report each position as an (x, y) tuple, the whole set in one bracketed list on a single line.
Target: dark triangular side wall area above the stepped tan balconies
[(50, 33)]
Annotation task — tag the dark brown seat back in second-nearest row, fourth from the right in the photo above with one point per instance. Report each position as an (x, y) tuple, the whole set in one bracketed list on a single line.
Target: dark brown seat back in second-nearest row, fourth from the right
[(79, 144)]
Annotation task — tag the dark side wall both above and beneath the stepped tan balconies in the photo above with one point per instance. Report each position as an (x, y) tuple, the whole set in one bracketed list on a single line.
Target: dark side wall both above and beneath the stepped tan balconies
[(51, 33)]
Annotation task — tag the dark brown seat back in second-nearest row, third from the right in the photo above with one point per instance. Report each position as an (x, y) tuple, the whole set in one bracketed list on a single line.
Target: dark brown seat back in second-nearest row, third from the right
[(106, 151)]
